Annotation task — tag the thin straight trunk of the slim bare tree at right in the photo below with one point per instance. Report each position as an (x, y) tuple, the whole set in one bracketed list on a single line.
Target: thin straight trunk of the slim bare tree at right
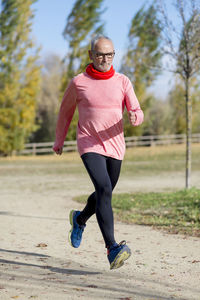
[(188, 134)]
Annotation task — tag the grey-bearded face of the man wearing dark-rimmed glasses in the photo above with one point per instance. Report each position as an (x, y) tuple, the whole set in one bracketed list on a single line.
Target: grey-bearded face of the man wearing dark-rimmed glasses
[(102, 55)]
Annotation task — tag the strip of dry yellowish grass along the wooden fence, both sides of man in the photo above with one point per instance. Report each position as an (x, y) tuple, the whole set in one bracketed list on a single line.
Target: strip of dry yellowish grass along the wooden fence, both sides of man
[(138, 161)]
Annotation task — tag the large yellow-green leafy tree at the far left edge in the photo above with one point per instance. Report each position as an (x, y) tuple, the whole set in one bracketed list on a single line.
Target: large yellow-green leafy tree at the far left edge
[(19, 75)]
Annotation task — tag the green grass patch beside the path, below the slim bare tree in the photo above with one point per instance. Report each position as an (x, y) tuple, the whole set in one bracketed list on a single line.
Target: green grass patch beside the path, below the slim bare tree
[(176, 212)]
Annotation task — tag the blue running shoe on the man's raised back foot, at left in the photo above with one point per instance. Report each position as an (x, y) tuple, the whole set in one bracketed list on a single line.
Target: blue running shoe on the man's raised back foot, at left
[(75, 234)]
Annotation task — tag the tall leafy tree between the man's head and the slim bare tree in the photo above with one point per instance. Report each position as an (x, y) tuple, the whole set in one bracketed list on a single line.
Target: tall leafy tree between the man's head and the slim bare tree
[(142, 53)]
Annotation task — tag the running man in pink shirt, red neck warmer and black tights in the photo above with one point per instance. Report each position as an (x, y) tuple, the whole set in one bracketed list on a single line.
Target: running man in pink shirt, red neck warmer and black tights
[(101, 95)]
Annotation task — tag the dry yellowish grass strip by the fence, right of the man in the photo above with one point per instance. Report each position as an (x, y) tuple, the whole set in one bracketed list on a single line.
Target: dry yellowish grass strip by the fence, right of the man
[(158, 160)]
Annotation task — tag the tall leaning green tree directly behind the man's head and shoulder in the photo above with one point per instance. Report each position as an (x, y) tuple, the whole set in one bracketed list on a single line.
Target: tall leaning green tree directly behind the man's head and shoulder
[(82, 24)]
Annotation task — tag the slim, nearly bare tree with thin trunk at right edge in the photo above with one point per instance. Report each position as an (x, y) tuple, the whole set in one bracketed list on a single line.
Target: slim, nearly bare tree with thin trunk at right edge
[(182, 45)]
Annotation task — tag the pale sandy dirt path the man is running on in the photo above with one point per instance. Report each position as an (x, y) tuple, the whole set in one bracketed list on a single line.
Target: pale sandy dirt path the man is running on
[(36, 261)]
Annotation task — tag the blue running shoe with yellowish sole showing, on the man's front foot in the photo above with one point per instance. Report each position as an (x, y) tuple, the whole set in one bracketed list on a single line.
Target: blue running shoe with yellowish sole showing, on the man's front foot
[(117, 254)]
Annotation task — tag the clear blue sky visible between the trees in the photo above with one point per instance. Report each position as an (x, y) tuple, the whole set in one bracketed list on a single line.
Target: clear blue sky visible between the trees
[(50, 20)]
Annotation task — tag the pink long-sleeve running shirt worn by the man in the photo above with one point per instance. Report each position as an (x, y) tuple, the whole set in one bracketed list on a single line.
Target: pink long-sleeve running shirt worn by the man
[(100, 105)]
